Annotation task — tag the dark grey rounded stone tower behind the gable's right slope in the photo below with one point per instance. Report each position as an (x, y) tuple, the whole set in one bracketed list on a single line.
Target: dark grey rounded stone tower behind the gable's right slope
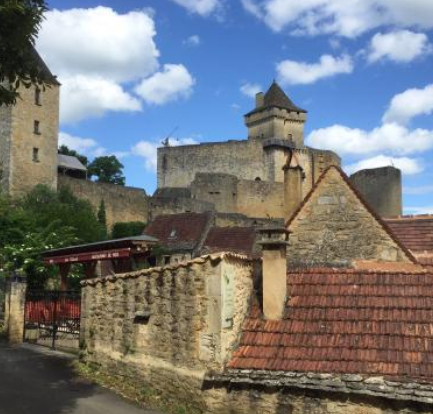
[(382, 189)]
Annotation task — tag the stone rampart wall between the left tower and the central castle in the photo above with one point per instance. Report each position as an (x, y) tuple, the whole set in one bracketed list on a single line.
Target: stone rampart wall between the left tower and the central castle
[(122, 204)]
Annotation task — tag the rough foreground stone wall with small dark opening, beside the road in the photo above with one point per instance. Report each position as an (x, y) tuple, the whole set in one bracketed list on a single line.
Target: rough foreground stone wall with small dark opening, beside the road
[(166, 327)]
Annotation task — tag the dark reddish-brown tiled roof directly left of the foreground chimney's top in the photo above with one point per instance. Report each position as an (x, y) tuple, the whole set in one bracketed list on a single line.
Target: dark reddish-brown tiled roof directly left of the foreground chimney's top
[(233, 239)]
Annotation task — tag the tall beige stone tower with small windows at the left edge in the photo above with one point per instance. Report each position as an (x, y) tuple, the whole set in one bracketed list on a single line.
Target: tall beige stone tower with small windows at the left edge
[(29, 138)]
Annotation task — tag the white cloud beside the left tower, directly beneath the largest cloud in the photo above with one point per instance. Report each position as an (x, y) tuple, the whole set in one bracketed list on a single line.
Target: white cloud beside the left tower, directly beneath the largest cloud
[(85, 97)]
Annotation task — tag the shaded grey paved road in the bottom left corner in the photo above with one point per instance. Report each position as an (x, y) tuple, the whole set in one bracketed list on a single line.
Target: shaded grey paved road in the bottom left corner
[(35, 380)]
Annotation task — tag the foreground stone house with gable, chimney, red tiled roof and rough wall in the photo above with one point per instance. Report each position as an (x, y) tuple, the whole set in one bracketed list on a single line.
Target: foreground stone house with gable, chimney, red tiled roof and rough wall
[(224, 333)]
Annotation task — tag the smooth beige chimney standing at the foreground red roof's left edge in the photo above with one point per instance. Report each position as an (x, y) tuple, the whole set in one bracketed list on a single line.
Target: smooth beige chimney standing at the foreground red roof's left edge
[(274, 241)]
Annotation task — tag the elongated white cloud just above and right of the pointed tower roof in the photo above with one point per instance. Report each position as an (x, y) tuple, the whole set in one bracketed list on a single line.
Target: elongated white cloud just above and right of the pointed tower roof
[(291, 72)]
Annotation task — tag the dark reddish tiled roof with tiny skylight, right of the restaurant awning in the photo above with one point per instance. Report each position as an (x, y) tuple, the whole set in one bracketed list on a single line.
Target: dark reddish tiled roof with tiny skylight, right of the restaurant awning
[(180, 231)]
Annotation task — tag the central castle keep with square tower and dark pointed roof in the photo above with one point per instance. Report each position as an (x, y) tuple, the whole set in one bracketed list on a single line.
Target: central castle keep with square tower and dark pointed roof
[(246, 176)]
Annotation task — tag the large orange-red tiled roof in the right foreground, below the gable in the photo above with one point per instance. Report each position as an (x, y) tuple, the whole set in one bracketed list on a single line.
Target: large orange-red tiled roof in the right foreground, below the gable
[(346, 322)]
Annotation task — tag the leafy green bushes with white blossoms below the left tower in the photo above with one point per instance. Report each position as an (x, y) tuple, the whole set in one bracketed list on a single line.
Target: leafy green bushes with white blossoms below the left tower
[(41, 221)]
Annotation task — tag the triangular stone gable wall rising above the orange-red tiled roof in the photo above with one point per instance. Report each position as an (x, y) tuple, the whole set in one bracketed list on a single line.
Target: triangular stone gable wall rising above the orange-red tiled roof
[(334, 228)]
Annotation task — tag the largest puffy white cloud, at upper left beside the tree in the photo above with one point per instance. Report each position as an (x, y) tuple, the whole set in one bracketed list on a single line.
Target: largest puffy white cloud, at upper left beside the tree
[(99, 42)]
